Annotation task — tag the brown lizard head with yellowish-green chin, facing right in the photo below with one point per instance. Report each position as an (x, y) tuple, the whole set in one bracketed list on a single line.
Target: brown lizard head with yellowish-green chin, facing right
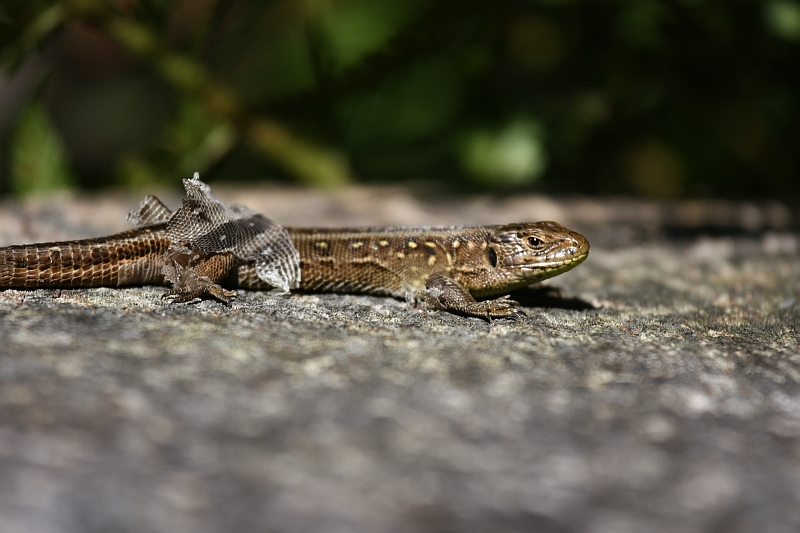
[(529, 252)]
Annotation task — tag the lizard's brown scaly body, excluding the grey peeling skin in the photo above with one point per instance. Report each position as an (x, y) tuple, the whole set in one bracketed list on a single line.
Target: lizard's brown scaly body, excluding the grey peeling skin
[(444, 268)]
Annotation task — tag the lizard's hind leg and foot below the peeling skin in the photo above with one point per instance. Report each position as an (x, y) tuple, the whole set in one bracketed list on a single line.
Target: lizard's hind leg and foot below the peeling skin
[(196, 275)]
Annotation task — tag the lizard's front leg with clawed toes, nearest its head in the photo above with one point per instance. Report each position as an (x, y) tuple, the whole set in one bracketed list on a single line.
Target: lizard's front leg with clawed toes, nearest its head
[(444, 293)]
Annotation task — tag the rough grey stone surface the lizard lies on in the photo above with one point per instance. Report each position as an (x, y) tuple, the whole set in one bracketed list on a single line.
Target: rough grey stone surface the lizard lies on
[(660, 391)]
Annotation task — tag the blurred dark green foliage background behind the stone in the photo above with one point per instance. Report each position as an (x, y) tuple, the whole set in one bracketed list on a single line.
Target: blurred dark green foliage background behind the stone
[(658, 98)]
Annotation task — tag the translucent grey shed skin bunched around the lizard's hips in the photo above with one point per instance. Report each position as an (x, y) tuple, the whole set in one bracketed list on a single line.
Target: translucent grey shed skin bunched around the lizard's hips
[(204, 223)]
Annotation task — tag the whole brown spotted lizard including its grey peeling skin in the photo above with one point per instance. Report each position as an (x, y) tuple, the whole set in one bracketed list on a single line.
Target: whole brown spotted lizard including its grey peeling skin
[(444, 268)]
